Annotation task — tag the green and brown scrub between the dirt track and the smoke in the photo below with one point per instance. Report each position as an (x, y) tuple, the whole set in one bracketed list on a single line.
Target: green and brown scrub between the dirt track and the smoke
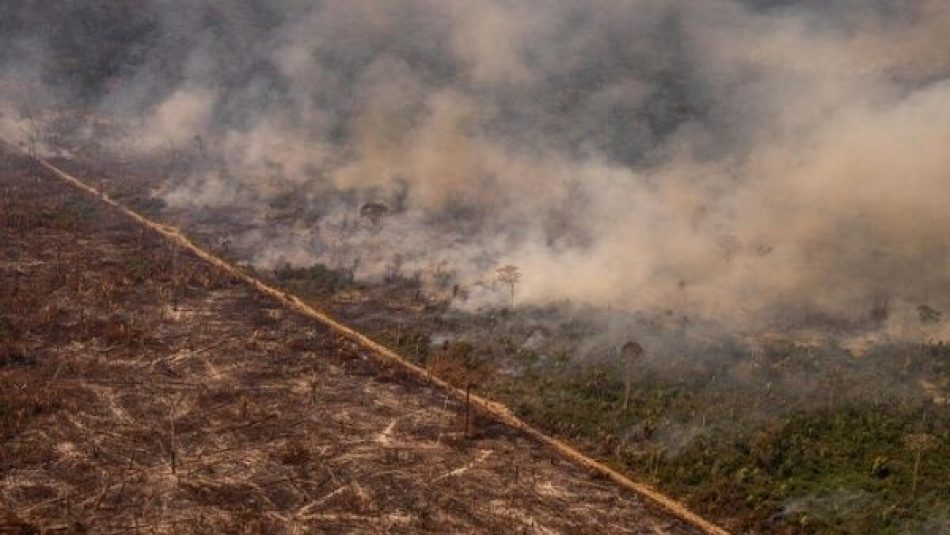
[(799, 439)]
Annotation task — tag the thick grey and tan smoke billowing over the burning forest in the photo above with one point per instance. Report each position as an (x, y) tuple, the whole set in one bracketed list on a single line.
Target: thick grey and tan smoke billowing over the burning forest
[(748, 161)]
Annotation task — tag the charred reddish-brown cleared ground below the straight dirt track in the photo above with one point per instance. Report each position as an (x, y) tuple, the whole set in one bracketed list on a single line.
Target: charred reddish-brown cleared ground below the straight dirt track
[(141, 389)]
